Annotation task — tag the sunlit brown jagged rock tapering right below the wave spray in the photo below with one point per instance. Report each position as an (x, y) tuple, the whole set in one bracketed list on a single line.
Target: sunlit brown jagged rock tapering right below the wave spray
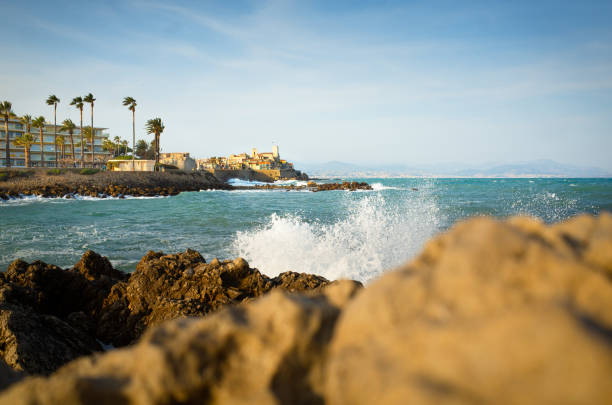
[(177, 285)]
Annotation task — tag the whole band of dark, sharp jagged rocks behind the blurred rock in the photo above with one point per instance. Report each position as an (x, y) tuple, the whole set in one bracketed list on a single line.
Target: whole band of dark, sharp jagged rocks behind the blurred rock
[(49, 316)]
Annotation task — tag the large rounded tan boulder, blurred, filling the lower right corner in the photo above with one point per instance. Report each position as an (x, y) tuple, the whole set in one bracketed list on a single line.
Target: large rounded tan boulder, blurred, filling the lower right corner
[(490, 312)]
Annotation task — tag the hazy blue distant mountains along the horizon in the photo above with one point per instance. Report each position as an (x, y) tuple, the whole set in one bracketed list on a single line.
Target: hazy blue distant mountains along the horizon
[(536, 168)]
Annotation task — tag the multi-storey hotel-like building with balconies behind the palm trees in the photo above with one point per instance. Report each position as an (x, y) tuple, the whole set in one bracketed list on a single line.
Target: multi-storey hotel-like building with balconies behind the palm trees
[(47, 157)]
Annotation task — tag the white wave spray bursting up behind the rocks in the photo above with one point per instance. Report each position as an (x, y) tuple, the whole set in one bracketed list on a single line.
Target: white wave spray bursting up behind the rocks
[(377, 234)]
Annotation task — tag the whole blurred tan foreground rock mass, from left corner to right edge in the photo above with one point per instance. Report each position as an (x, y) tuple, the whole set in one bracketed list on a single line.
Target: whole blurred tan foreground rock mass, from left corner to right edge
[(491, 312)]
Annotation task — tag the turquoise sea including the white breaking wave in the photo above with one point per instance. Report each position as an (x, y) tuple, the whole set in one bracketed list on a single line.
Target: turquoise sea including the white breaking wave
[(336, 234)]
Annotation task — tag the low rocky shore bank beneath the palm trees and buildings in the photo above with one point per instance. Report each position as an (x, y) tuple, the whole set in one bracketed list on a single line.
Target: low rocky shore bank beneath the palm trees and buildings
[(69, 184)]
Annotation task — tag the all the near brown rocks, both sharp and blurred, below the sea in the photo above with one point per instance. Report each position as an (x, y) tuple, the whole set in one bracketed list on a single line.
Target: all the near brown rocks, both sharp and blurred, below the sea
[(506, 312)]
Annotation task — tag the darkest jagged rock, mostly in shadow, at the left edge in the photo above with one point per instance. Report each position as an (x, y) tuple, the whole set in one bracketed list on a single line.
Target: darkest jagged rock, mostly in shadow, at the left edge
[(47, 313)]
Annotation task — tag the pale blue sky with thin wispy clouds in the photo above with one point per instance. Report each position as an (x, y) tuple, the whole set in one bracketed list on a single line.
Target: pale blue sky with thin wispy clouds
[(367, 82)]
